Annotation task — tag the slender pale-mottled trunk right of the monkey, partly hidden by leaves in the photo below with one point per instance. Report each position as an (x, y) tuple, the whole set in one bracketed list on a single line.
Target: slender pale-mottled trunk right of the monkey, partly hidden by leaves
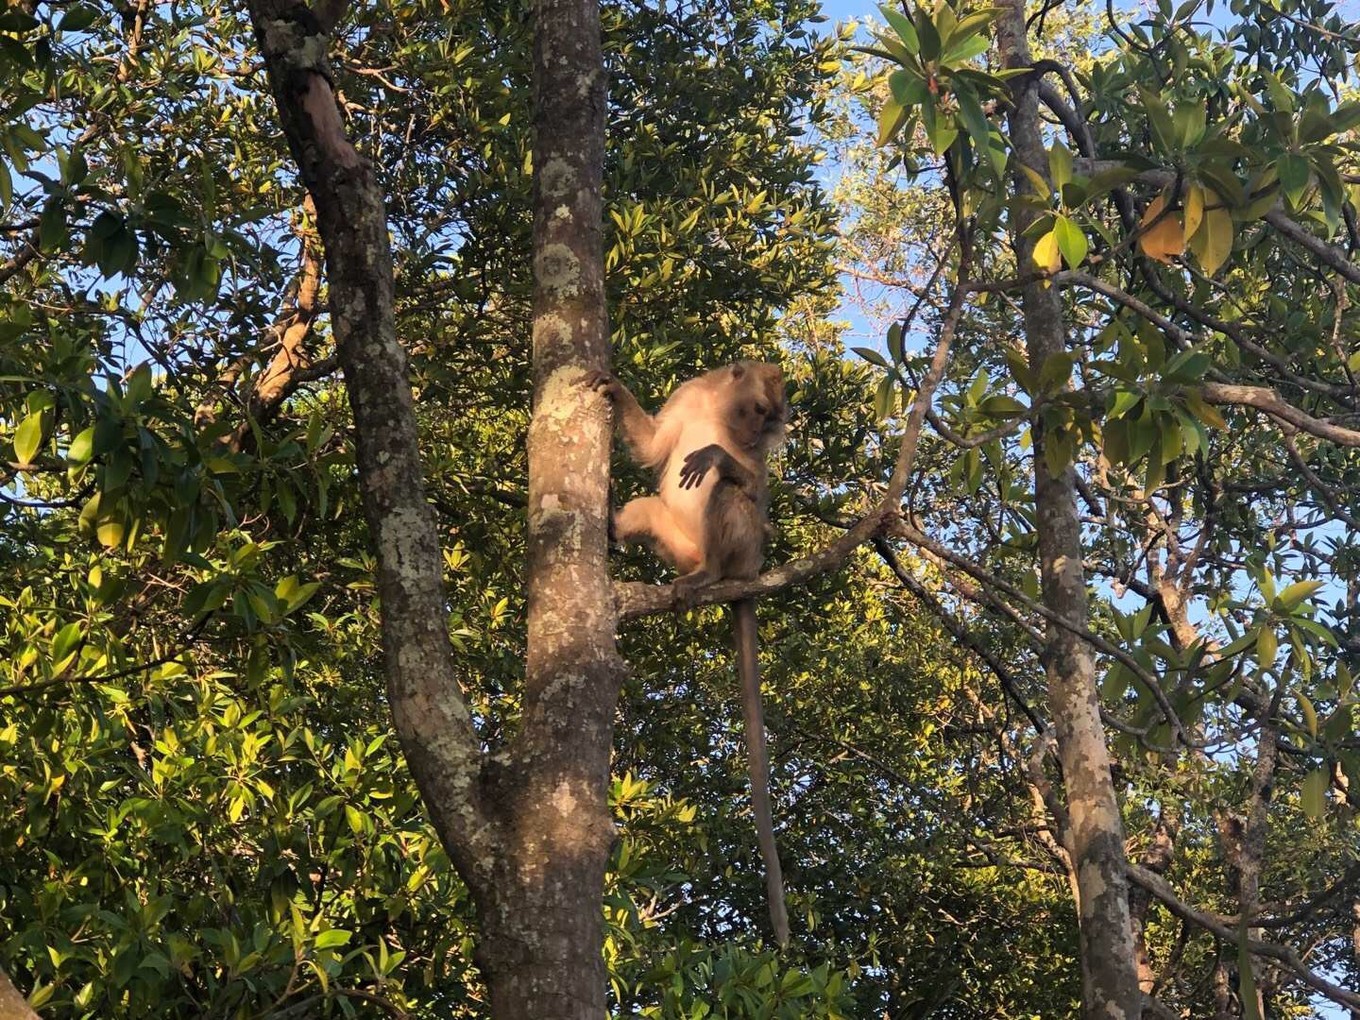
[(1110, 979)]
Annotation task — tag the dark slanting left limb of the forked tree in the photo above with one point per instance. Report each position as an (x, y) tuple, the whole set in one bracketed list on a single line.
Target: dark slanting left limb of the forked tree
[(428, 705)]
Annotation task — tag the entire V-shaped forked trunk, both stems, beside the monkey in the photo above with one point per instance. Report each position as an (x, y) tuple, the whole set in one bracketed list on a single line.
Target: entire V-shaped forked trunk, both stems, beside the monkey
[(527, 828)]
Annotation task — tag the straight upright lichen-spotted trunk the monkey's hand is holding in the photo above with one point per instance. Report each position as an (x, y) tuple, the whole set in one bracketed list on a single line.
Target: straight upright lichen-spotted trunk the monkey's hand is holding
[(545, 925)]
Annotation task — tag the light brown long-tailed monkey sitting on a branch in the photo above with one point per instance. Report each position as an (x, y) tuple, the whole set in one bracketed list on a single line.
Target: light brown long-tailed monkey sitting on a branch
[(711, 522)]
